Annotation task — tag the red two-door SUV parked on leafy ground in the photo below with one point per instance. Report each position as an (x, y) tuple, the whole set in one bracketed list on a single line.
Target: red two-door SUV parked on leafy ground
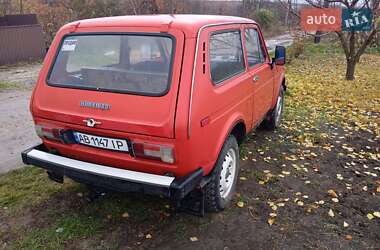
[(155, 104)]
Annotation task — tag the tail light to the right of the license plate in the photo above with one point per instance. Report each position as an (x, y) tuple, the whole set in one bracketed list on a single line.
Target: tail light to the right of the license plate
[(154, 151)]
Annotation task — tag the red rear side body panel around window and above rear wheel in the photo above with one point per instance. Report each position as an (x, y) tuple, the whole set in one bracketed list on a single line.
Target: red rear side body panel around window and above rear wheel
[(216, 108)]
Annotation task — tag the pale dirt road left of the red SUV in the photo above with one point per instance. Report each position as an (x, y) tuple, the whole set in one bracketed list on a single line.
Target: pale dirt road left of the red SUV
[(16, 126)]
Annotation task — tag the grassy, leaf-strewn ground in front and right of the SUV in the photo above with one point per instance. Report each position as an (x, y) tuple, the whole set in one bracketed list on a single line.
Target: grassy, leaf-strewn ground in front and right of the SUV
[(313, 183)]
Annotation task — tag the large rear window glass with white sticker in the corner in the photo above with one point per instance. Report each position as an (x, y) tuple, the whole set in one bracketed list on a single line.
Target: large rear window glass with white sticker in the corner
[(137, 64)]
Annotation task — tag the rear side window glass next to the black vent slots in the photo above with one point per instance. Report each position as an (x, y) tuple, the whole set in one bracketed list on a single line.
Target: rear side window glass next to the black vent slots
[(226, 55)]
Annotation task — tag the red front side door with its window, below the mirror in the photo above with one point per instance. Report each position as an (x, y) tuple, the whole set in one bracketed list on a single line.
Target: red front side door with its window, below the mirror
[(260, 72)]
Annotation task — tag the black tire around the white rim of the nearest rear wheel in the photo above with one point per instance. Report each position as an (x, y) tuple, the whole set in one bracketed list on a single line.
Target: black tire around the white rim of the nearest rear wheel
[(214, 202)]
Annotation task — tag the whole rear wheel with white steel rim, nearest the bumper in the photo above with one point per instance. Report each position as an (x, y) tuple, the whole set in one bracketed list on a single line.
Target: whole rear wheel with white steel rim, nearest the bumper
[(221, 187)]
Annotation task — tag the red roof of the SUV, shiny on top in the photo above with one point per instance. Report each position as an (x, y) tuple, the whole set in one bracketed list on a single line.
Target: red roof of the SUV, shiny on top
[(190, 24)]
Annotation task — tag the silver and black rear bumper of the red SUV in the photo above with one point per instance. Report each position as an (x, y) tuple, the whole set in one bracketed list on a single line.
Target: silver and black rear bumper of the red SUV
[(109, 177)]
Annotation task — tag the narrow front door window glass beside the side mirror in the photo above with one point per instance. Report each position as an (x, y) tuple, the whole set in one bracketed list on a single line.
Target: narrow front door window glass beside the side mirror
[(254, 47)]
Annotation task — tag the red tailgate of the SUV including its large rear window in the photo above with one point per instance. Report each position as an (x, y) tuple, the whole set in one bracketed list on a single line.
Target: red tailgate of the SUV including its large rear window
[(125, 111)]
